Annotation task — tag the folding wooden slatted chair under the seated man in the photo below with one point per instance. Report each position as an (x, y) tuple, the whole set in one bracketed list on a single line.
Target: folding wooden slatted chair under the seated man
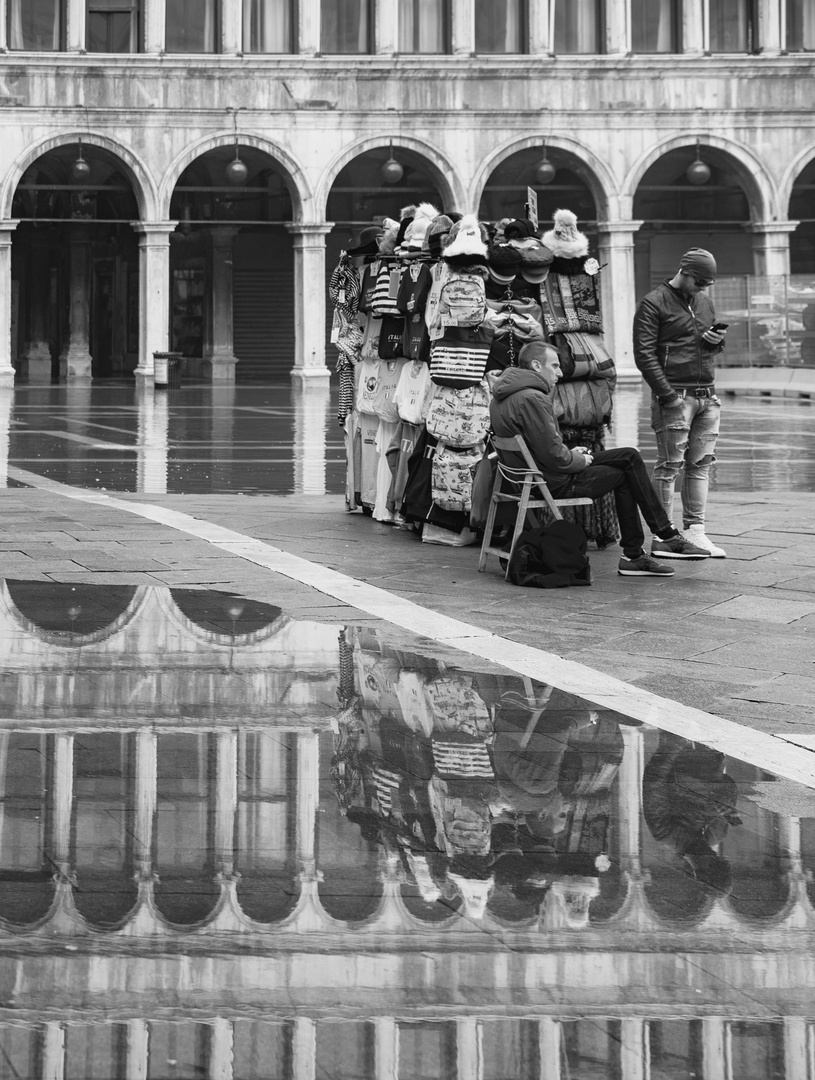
[(521, 483)]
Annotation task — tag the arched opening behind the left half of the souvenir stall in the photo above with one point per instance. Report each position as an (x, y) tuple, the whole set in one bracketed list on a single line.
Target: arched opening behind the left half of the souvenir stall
[(361, 196)]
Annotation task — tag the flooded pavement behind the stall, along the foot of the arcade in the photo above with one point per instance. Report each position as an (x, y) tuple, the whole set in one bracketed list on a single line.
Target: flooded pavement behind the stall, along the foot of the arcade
[(281, 440)]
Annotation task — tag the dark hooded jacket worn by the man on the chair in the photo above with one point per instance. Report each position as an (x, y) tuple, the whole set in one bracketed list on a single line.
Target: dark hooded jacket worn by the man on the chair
[(522, 406)]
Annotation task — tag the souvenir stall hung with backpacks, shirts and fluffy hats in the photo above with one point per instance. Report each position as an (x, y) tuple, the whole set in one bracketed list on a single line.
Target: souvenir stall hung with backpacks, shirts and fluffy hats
[(427, 310)]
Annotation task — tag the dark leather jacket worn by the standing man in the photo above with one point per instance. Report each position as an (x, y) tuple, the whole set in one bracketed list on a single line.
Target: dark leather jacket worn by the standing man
[(668, 341)]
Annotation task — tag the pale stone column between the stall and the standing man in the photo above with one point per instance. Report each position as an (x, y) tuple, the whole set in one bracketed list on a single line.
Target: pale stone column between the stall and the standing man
[(616, 244)]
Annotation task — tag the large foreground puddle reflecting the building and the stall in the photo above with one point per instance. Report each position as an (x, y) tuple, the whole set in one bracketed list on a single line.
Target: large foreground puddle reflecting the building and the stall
[(238, 845)]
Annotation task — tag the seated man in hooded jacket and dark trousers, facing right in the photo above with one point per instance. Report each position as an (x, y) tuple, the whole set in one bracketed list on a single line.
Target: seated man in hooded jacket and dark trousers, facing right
[(522, 406)]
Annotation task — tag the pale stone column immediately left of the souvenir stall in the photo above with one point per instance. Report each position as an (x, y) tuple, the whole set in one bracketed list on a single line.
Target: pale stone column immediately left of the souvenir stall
[(310, 332)]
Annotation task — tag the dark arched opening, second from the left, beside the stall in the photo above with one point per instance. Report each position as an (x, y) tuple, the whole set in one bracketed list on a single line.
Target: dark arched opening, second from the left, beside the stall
[(232, 266)]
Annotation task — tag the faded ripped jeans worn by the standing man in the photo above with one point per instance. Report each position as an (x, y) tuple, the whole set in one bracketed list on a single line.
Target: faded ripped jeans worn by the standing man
[(686, 443)]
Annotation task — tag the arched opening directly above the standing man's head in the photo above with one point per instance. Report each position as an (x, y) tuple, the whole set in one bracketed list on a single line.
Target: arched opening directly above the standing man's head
[(678, 214)]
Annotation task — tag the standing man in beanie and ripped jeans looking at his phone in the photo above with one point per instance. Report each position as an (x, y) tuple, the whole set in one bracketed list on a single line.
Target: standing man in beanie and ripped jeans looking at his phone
[(676, 340)]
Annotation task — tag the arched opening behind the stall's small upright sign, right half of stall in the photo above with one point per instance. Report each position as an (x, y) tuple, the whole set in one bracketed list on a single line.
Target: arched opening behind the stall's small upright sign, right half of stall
[(568, 185)]
